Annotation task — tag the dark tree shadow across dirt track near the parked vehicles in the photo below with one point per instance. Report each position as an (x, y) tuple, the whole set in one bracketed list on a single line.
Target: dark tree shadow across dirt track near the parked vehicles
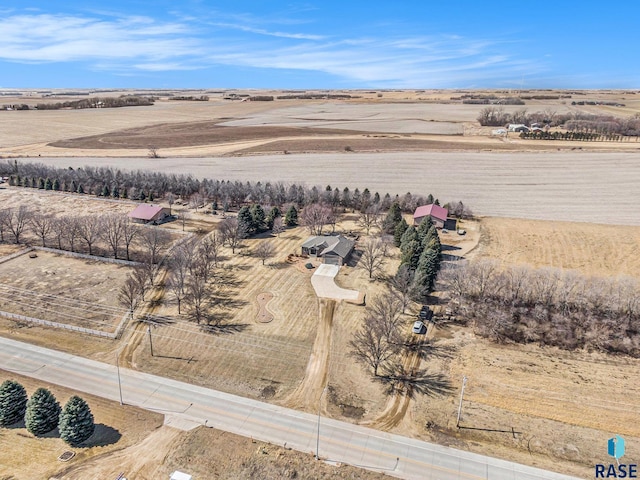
[(412, 383)]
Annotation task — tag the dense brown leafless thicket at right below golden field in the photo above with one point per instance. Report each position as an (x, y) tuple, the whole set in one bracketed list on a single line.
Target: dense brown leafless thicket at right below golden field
[(546, 306)]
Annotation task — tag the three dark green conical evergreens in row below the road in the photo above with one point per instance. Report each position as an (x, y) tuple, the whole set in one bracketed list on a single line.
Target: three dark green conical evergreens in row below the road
[(42, 413)]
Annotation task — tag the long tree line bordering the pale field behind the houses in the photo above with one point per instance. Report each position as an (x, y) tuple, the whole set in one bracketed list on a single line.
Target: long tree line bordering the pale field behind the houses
[(224, 194)]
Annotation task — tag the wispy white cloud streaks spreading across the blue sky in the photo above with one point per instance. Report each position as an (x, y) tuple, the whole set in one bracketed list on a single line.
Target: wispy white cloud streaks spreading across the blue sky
[(145, 44)]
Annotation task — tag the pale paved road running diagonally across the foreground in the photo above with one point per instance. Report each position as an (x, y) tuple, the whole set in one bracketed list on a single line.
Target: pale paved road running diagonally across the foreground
[(337, 441)]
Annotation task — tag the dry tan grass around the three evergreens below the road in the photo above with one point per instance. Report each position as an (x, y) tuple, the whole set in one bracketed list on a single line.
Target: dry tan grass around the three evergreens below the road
[(28, 458)]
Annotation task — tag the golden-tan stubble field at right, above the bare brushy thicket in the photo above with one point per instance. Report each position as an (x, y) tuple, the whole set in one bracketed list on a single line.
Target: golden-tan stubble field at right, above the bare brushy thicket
[(601, 250)]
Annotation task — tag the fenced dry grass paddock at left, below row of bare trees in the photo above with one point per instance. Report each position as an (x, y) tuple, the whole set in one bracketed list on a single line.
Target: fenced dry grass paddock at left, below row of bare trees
[(63, 289)]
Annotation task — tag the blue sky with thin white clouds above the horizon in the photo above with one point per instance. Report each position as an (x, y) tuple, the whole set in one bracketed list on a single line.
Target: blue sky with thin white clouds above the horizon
[(319, 44)]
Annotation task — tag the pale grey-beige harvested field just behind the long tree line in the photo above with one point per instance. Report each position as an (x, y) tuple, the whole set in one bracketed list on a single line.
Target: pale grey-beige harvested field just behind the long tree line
[(567, 186)]
